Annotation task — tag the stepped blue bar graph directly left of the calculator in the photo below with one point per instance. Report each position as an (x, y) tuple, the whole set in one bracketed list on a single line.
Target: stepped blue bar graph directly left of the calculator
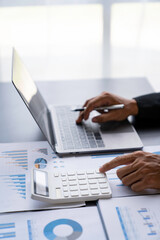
[(16, 182)]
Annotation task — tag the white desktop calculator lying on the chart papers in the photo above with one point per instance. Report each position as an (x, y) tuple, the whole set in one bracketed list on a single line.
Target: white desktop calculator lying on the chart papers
[(69, 186)]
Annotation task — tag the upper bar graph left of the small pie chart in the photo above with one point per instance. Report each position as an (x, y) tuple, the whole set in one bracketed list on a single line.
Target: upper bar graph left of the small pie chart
[(16, 158)]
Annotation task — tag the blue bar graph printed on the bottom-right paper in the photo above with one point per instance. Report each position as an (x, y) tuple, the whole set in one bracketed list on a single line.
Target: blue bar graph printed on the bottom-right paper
[(139, 223)]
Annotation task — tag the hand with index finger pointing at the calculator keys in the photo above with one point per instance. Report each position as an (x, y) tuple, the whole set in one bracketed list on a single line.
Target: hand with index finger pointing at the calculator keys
[(142, 170)]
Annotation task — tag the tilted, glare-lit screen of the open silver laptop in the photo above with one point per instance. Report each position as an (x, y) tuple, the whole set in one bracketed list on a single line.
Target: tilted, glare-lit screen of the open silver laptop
[(30, 95)]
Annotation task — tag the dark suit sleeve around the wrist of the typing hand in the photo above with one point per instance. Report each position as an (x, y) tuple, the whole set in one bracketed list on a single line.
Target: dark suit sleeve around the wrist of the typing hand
[(149, 107)]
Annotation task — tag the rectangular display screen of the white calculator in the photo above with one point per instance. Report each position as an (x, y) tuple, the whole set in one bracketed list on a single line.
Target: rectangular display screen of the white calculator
[(41, 183)]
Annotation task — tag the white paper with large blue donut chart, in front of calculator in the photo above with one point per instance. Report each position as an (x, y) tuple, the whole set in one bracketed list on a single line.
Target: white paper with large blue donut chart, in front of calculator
[(58, 224)]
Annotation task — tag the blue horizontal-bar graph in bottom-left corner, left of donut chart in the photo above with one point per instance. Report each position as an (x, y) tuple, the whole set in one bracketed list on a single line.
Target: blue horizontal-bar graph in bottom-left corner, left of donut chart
[(7, 230)]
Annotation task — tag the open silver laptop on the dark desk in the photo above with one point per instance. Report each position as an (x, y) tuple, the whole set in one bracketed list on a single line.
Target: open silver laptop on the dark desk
[(58, 122)]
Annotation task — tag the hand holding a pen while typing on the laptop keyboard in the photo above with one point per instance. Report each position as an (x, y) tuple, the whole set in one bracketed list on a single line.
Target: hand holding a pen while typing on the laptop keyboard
[(107, 99)]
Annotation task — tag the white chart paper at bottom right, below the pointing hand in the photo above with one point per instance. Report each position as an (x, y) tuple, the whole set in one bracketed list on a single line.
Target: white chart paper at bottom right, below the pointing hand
[(134, 218)]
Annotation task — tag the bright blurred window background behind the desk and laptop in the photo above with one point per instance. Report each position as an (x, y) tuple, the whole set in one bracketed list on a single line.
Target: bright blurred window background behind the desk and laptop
[(82, 39)]
